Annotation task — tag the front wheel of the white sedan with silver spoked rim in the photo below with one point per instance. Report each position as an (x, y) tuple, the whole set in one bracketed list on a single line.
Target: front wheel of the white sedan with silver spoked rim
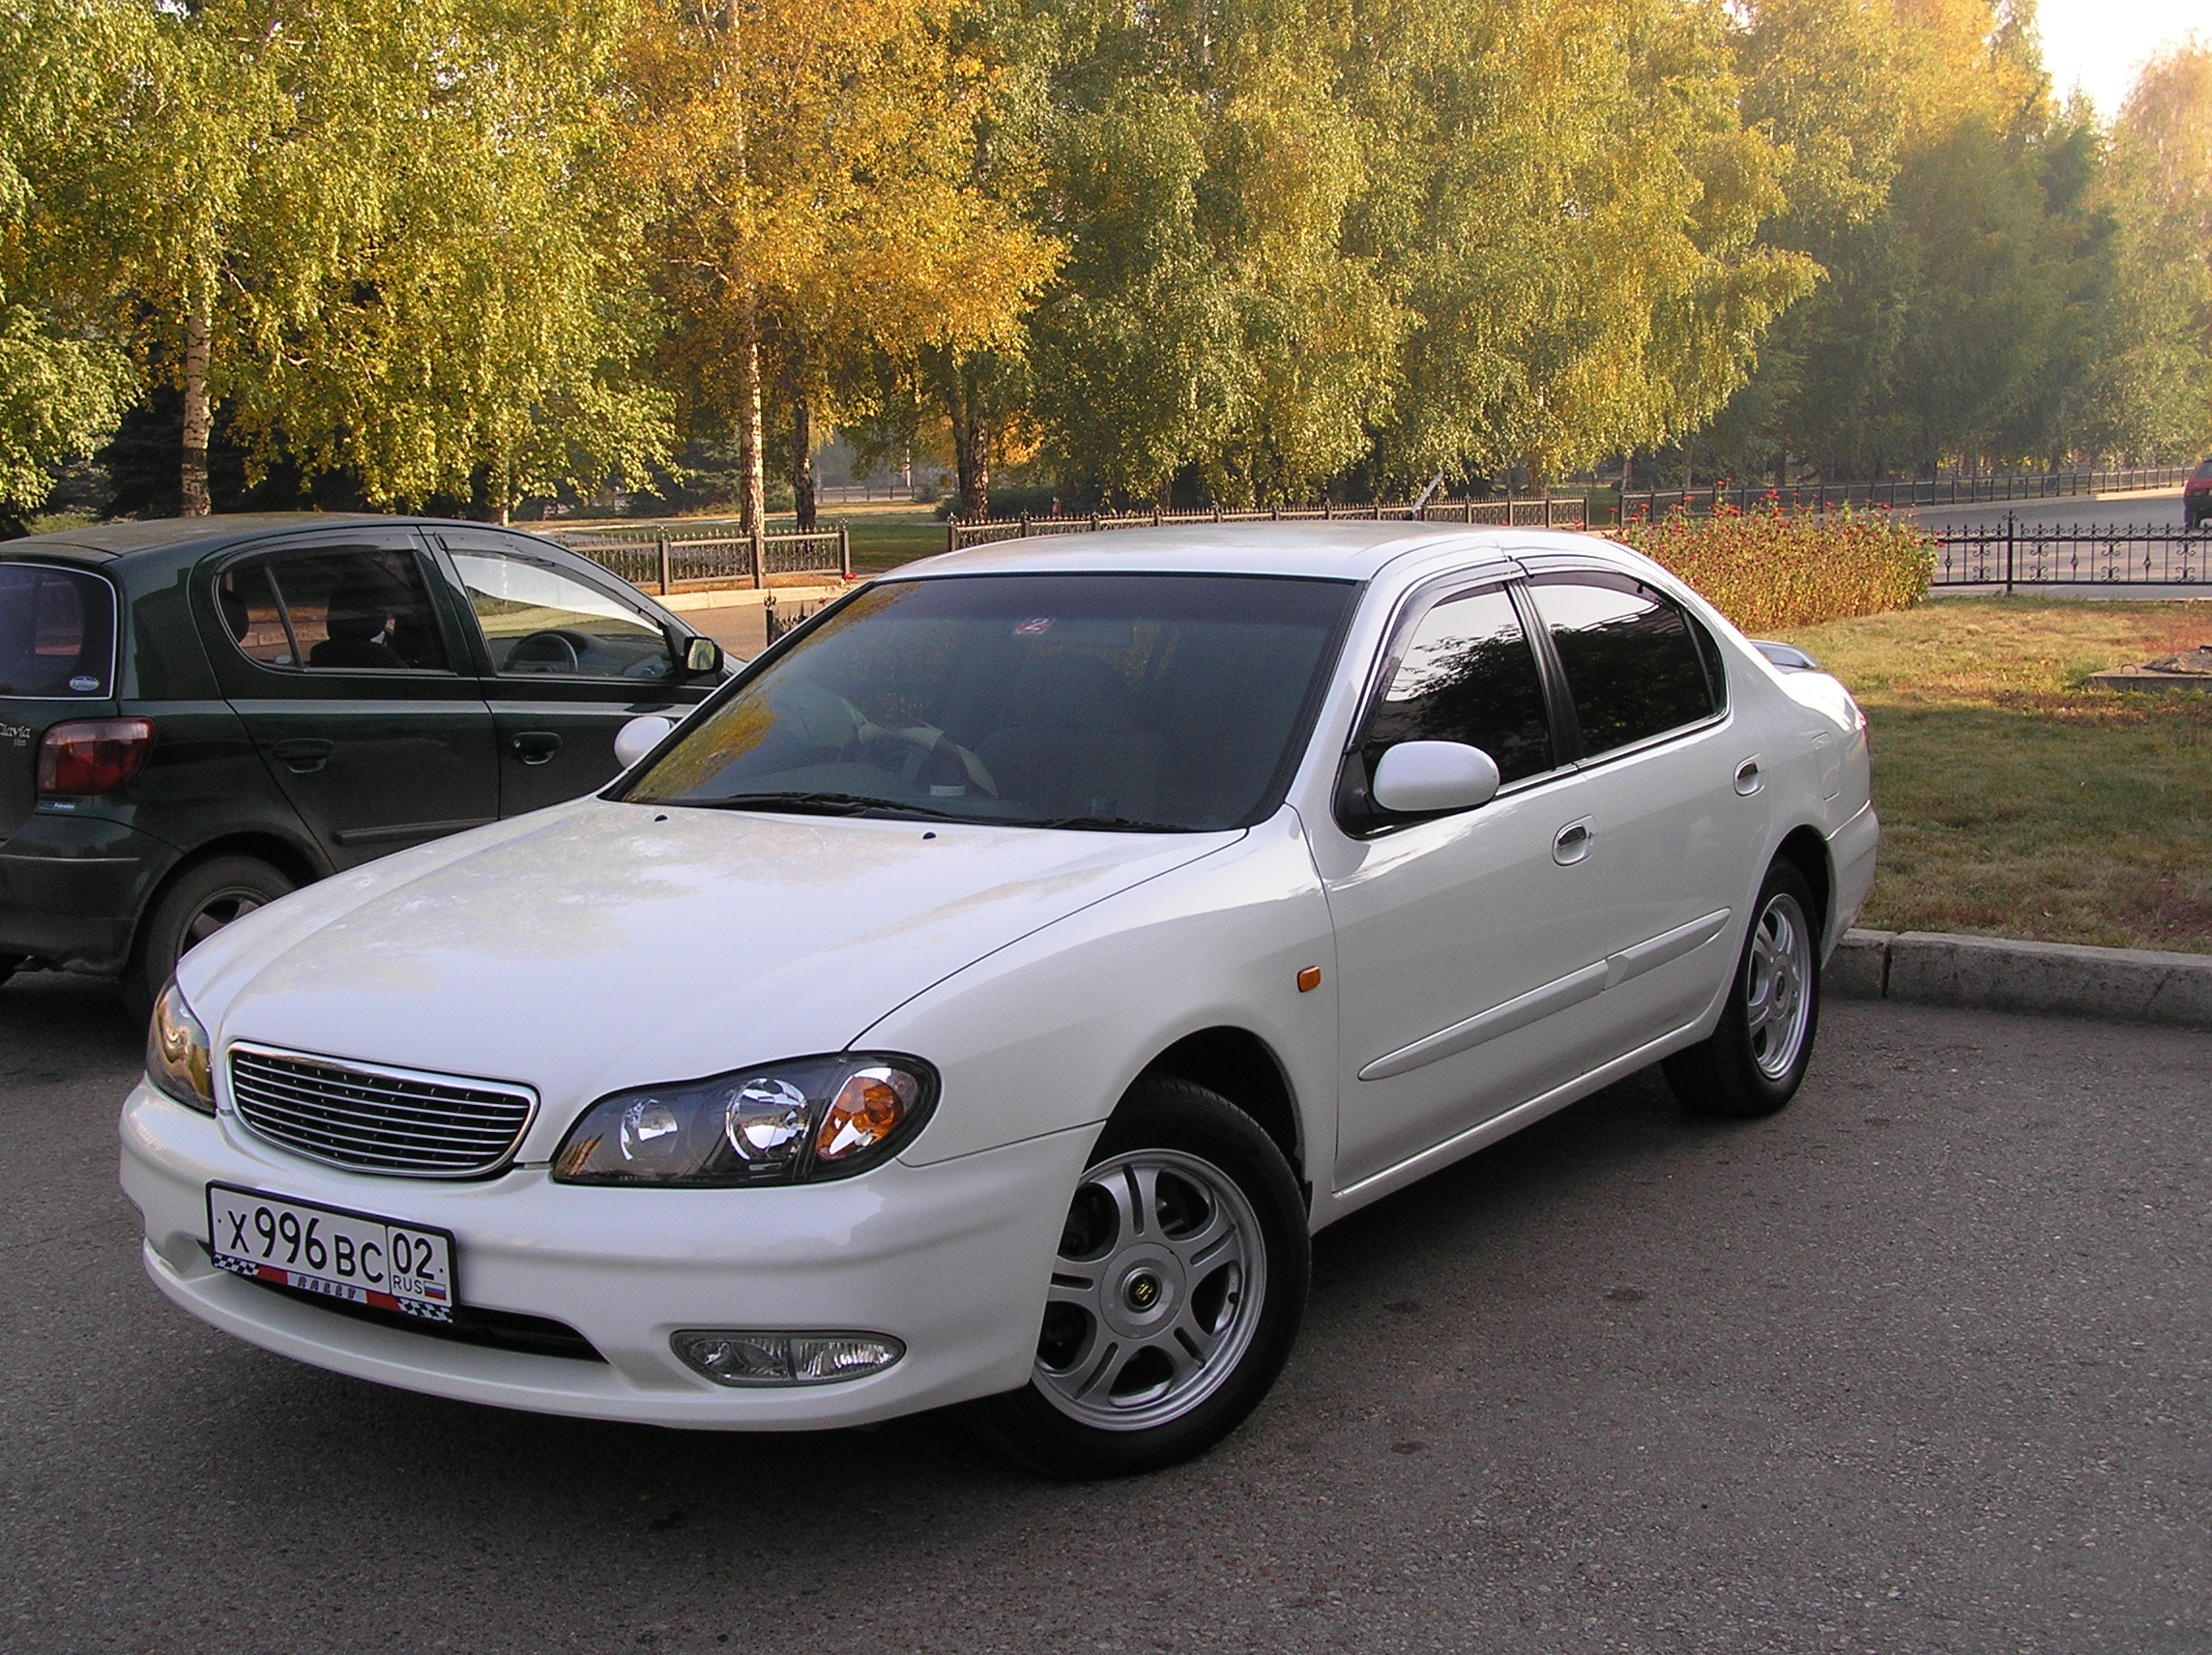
[(1171, 1130)]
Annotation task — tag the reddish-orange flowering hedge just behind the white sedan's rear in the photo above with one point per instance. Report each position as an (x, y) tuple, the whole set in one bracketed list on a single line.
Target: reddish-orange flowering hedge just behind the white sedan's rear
[(1768, 570)]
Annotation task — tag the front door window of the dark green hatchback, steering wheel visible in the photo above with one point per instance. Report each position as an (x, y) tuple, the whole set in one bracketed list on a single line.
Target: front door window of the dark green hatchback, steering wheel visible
[(539, 621)]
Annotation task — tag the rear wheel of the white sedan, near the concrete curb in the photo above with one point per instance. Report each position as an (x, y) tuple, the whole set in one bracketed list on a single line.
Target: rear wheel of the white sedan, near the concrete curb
[(1744, 1068)]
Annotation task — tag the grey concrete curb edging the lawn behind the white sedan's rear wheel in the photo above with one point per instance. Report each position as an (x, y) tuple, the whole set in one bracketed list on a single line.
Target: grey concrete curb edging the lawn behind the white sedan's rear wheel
[(2001, 975)]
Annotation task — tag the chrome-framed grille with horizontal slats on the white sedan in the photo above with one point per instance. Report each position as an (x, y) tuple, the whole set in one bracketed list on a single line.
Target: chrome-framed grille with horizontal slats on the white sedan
[(379, 1121)]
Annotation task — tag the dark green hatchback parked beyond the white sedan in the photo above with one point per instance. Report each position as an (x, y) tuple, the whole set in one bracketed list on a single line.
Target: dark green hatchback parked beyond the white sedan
[(205, 714)]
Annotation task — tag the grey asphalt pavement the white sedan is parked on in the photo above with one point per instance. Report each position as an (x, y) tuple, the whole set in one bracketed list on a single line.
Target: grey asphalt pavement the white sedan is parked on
[(1919, 1366)]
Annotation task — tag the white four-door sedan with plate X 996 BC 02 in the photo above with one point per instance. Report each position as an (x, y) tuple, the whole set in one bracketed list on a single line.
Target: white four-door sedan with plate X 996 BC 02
[(988, 995)]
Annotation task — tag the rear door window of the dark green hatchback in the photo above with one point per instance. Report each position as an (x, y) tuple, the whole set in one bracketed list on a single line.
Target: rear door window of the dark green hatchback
[(337, 610)]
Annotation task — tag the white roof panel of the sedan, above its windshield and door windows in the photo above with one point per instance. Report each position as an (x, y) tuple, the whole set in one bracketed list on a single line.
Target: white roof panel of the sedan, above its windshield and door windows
[(1331, 550)]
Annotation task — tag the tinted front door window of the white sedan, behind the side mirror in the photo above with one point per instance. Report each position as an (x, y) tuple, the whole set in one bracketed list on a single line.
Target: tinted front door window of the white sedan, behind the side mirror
[(1468, 676)]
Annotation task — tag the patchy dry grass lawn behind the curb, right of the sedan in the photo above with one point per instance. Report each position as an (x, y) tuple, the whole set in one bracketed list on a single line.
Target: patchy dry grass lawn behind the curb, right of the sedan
[(2018, 802)]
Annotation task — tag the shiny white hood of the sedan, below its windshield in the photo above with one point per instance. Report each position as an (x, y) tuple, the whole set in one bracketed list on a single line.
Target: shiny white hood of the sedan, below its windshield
[(603, 946)]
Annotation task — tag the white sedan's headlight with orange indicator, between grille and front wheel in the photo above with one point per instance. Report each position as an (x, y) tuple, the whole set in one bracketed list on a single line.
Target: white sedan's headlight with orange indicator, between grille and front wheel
[(791, 1123)]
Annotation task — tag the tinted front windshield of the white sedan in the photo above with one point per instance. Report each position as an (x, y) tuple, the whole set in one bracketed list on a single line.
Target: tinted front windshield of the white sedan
[(1167, 702)]
